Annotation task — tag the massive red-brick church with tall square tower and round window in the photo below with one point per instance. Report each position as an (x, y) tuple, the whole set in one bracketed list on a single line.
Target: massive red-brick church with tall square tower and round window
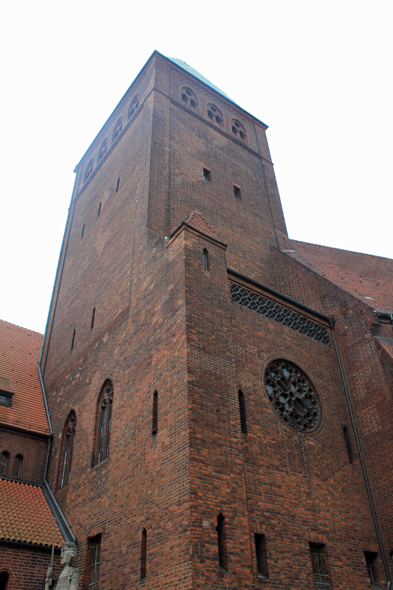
[(220, 396)]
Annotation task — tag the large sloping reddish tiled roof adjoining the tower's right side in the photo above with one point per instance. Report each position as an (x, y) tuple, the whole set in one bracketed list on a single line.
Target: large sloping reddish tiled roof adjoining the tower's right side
[(367, 277)]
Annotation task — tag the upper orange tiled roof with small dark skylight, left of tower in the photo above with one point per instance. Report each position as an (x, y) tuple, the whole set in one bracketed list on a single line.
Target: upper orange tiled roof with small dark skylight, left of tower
[(19, 355)]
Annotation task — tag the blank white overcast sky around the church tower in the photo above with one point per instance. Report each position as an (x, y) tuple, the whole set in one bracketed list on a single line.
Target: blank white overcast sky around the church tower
[(318, 73)]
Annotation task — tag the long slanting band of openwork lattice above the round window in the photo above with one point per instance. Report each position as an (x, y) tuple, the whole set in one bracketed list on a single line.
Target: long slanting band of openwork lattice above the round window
[(279, 313)]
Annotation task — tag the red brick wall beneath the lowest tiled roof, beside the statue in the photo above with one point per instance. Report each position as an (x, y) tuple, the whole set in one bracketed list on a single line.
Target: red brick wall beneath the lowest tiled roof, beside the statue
[(26, 567)]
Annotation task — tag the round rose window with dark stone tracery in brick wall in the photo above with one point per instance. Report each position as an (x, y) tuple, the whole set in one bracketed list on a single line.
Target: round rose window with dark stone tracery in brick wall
[(292, 395)]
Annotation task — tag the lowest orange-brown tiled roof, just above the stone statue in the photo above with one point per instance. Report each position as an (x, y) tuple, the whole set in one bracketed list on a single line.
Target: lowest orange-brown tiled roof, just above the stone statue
[(25, 516)]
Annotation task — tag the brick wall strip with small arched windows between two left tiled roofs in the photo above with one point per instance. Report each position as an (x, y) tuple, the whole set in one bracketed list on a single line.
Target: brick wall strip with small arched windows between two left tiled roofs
[(33, 449)]
